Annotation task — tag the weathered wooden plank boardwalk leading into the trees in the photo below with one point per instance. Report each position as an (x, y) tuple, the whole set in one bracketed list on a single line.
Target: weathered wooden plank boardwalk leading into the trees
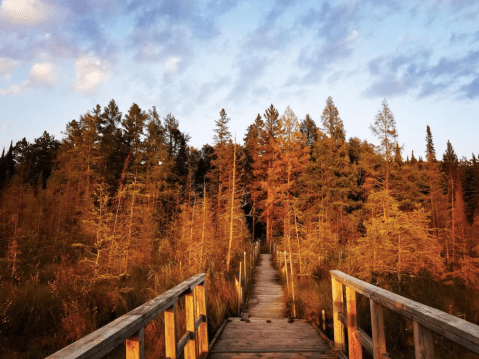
[(267, 334)]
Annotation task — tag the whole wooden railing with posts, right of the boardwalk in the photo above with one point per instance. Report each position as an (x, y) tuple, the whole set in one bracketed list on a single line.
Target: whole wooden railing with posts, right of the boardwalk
[(426, 320)]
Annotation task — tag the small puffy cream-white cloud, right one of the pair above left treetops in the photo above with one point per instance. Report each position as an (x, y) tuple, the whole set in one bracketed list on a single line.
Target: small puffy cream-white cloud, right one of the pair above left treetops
[(90, 72)]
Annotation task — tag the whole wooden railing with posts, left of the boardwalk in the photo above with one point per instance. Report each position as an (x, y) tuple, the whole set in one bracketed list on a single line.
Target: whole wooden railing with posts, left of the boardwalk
[(129, 328)]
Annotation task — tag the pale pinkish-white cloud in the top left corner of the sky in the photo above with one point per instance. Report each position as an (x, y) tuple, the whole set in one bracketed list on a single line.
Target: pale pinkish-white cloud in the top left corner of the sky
[(29, 12)]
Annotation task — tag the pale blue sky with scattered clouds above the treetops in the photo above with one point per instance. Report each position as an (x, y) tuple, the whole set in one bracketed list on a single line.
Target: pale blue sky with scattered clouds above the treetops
[(60, 58)]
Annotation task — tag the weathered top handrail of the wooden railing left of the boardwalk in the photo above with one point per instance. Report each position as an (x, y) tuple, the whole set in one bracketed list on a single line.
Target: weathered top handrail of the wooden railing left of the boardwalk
[(108, 337)]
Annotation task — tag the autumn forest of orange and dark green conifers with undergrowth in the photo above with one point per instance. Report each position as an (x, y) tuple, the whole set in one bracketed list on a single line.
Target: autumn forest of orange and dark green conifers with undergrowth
[(122, 209)]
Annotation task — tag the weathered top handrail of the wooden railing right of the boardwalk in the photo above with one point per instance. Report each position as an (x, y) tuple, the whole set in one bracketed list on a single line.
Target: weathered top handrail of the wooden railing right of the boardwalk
[(449, 326)]
